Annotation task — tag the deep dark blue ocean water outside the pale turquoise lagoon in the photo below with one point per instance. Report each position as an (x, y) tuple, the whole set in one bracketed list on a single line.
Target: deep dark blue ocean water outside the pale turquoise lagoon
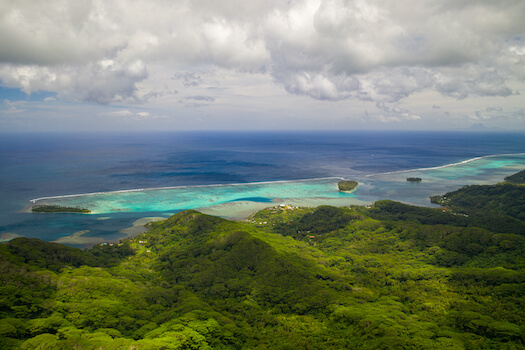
[(38, 165)]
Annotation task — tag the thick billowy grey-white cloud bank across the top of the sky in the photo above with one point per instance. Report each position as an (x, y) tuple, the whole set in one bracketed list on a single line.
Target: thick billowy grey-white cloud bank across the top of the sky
[(102, 51)]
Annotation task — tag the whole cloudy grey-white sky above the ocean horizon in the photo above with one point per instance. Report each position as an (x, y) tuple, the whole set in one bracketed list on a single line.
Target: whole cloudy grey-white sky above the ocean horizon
[(97, 65)]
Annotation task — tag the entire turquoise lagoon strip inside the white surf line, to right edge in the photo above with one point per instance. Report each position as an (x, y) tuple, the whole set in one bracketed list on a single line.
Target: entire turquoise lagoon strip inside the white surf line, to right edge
[(236, 201)]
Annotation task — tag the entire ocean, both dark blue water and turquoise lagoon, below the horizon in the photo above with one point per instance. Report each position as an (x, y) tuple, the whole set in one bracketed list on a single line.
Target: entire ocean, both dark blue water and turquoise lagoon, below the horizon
[(137, 175)]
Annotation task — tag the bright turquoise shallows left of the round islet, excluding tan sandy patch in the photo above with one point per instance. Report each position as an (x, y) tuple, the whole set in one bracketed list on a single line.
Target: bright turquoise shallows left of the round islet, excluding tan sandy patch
[(179, 198)]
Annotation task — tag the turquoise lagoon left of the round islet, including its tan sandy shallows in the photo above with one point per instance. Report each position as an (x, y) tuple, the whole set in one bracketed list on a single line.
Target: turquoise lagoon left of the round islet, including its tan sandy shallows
[(232, 200)]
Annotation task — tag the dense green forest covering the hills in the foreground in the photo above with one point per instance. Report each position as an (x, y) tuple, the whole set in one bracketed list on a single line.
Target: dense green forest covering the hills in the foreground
[(389, 276)]
